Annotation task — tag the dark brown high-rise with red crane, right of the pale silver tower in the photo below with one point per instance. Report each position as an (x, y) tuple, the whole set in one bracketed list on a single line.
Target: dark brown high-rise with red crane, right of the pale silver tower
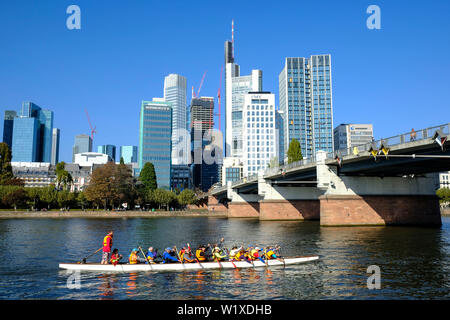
[(204, 174)]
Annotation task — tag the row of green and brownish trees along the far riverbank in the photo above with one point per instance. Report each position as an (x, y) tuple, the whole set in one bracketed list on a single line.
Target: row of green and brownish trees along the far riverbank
[(111, 186)]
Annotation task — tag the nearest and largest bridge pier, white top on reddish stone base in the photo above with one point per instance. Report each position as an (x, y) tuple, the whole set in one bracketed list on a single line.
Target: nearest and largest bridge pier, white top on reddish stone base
[(367, 200)]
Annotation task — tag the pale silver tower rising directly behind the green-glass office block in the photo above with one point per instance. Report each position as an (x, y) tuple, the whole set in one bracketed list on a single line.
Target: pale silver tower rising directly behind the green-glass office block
[(175, 94)]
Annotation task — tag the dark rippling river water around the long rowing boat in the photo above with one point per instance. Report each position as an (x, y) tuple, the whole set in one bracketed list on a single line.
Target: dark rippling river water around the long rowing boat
[(414, 262)]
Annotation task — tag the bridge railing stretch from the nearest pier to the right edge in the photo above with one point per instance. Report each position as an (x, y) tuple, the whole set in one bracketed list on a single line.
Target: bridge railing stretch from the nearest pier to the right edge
[(411, 136)]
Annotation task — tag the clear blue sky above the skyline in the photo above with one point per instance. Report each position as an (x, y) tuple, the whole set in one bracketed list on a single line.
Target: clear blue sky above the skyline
[(396, 78)]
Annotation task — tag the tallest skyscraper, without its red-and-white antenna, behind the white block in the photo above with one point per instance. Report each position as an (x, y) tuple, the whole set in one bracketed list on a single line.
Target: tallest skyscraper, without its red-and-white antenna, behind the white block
[(236, 87)]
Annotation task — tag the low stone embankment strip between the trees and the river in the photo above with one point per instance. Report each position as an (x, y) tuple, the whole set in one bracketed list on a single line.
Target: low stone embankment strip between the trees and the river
[(108, 214)]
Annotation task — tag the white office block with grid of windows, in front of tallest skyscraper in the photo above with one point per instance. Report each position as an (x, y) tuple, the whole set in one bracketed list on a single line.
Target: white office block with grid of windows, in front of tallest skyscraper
[(260, 146)]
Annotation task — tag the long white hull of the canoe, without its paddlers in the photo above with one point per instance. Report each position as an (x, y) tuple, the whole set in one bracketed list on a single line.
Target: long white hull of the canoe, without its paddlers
[(185, 266)]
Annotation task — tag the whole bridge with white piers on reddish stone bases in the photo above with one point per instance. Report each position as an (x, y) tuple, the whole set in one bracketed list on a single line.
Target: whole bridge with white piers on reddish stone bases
[(385, 182)]
